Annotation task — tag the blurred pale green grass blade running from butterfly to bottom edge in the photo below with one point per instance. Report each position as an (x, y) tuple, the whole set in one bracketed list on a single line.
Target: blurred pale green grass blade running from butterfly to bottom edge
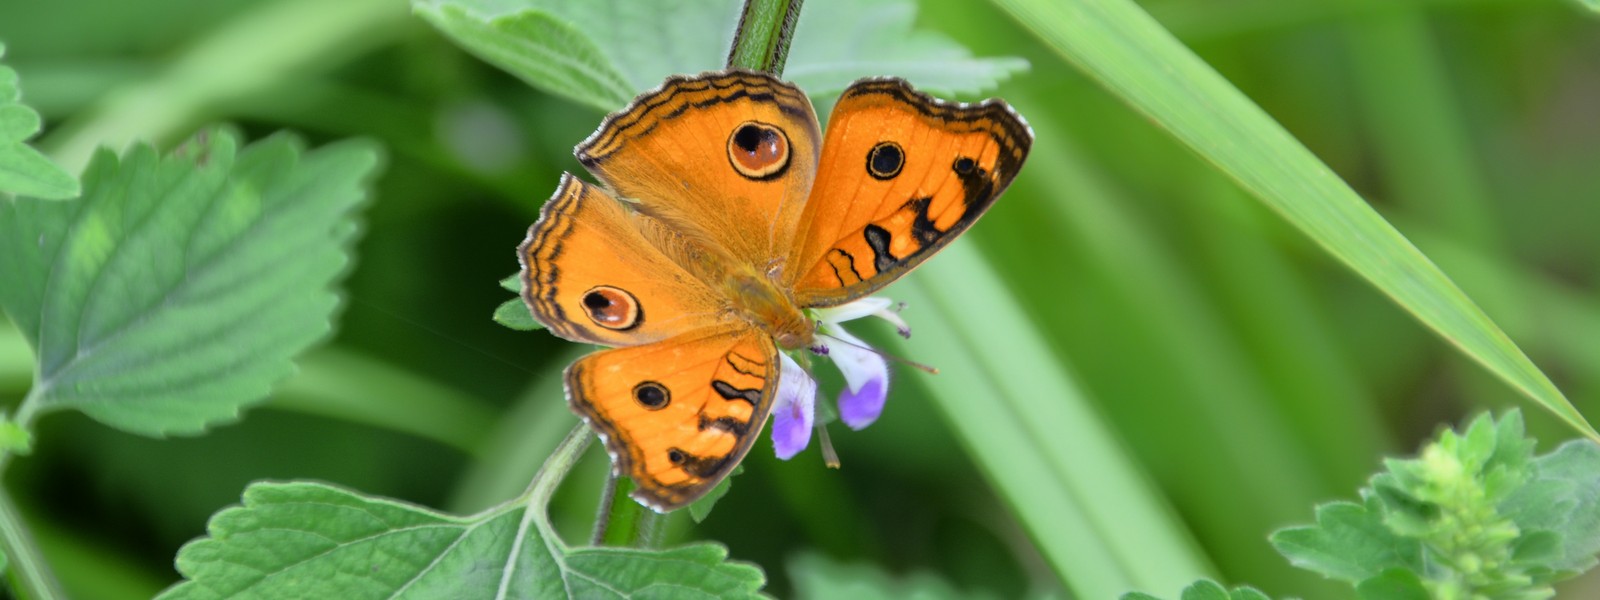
[(1095, 518)]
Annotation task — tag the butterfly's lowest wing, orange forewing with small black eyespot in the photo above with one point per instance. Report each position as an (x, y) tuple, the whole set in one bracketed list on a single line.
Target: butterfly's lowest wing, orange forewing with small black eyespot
[(678, 415)]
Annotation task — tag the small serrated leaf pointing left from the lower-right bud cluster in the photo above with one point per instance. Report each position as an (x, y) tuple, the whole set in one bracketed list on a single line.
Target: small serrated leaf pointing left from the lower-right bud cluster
[(1348, 543)]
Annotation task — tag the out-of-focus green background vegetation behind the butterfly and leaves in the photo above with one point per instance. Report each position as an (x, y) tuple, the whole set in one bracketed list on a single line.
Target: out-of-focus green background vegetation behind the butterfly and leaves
[(1196, 321)]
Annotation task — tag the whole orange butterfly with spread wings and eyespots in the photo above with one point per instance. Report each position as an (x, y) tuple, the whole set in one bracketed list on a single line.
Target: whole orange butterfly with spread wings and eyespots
[(724, 217)]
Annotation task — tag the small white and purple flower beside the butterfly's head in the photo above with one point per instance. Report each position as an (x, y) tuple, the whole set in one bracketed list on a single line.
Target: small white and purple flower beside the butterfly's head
[(866, 377)]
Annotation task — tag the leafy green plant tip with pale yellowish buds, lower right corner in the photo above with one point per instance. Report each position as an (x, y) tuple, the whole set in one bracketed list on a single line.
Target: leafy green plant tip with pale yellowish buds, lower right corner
[(1476, 516)]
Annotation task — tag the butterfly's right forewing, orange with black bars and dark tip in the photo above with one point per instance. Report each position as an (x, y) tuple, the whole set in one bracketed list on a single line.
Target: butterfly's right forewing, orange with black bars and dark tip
[(902, 177)]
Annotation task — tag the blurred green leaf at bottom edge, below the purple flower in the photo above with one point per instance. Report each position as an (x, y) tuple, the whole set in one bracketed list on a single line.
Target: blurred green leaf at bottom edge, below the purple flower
[(818, 578)]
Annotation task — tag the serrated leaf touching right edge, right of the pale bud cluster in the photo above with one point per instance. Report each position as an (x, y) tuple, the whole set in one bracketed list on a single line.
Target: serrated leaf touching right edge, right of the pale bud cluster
[(1564, 497)]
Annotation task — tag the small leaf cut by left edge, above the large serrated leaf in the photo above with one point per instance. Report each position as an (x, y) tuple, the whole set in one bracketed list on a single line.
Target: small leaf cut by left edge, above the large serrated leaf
[(25, 170)]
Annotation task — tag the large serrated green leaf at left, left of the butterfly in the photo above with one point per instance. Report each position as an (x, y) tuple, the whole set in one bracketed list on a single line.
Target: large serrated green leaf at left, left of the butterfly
[(180, 289)]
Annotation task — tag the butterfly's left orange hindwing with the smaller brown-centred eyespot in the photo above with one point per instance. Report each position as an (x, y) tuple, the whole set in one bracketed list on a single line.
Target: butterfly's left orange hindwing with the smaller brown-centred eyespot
[(591, 273)]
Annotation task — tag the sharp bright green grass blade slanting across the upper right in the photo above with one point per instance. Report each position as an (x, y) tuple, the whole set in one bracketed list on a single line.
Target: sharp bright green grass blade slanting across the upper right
[(1127, 52)]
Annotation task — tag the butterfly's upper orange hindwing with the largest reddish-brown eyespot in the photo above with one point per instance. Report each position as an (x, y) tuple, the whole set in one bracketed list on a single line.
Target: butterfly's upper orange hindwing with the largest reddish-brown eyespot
[(726, 158)]
